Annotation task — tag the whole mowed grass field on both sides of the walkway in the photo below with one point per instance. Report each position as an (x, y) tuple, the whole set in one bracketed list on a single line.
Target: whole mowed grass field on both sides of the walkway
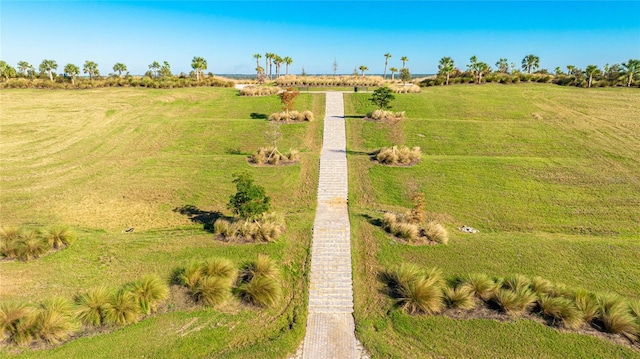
[(549, 175)]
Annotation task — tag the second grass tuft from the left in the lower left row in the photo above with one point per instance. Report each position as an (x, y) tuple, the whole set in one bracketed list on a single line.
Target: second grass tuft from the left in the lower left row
[(55, 321)]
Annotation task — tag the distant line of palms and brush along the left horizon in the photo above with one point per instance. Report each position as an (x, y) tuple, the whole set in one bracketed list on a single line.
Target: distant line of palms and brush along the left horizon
[(158, 76)]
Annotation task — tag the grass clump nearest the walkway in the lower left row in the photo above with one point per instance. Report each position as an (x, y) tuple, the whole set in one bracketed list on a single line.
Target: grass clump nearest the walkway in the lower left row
[(259, 282)]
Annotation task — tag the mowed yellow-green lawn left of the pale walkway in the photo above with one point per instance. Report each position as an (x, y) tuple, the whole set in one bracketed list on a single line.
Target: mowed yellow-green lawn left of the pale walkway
[(104, 160)]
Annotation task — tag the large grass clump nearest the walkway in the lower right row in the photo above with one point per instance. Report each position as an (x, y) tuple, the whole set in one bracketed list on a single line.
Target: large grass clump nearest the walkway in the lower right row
[(416, 291)]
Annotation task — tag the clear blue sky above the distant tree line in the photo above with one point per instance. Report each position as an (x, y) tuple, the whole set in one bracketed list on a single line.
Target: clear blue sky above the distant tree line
[(313, 33)]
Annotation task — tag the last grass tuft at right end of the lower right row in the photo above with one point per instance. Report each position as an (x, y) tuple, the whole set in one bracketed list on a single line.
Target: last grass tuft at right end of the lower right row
[(615, 317)]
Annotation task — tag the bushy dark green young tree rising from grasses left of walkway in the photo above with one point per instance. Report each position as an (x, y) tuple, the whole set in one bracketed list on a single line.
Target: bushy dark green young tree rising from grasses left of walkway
[(250, 199)]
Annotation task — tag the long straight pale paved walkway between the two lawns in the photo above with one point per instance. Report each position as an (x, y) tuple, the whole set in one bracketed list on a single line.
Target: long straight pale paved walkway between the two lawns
[(330, 325)]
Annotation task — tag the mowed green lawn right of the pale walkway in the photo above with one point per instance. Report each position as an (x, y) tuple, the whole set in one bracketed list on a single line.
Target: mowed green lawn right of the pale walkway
[(549, 175)]
